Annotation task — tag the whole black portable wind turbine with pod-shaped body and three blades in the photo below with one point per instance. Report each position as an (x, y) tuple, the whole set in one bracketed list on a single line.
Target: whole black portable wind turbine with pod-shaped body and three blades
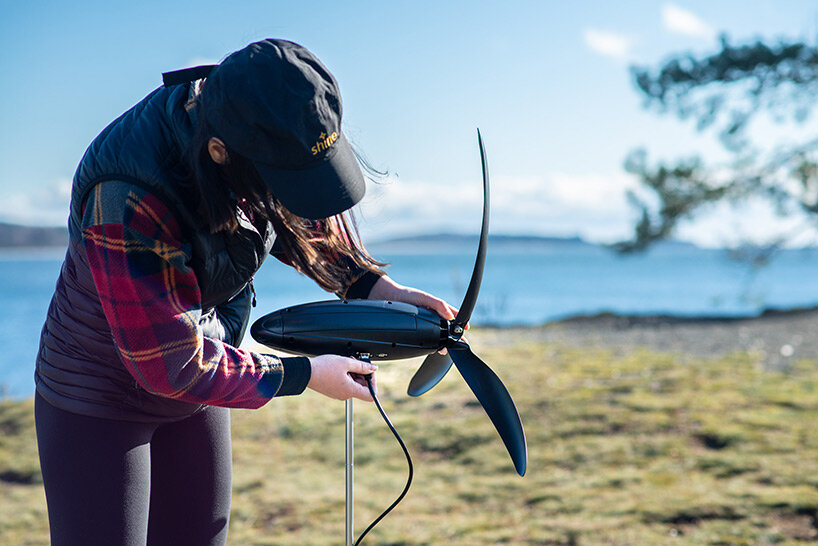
[(386, 330)]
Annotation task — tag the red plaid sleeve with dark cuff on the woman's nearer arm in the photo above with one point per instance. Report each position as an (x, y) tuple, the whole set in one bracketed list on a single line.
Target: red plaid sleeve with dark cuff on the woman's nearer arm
[(152, 302)]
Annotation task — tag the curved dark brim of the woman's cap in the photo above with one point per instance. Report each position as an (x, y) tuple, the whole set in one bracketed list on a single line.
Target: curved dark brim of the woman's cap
[(327, 189)]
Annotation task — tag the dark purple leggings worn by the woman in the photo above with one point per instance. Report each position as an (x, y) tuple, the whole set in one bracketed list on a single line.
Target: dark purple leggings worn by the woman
[(117, 482)]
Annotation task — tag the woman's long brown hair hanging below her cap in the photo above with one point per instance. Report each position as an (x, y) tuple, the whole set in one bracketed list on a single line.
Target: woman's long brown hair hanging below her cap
[(328, 251)]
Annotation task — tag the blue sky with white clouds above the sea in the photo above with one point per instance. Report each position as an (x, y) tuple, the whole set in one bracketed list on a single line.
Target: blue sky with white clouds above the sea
[(547, 83)]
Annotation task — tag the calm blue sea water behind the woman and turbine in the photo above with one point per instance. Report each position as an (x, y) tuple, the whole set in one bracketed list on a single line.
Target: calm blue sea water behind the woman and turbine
[(521, 285)]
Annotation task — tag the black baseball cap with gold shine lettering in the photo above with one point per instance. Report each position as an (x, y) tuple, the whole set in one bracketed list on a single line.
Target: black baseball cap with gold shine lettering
[(276, 104)]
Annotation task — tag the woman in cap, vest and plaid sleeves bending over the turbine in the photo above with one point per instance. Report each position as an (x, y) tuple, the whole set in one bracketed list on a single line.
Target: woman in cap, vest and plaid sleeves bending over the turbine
[(174, 207)]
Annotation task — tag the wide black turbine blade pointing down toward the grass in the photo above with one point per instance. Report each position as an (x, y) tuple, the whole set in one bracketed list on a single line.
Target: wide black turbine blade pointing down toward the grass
[(496, 400)]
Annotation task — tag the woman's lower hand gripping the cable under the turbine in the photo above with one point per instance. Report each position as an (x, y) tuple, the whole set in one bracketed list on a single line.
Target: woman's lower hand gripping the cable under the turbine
[(339, 377)]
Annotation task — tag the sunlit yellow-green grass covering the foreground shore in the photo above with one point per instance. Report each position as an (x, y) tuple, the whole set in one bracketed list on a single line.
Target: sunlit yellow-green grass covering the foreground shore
[(645, 448)]
